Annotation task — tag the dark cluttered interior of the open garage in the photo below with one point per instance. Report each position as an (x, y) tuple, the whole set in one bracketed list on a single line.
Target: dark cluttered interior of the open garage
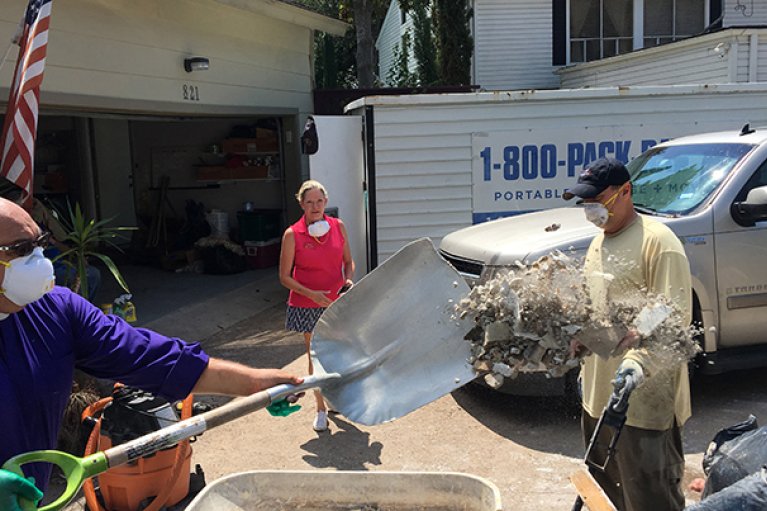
[(164, 177)]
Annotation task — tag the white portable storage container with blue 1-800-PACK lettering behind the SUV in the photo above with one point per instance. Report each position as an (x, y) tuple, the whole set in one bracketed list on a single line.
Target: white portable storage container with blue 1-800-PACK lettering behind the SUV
[(402, 167)]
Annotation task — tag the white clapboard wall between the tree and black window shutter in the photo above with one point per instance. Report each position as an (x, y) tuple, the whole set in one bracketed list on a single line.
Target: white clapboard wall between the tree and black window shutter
[(513, 45)]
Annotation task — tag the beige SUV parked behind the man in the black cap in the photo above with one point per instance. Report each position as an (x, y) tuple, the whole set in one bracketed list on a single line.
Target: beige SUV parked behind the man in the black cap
[(711, 190)]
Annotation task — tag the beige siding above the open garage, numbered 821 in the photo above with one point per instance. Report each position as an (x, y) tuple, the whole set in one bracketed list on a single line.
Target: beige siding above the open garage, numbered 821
[(128, 55)]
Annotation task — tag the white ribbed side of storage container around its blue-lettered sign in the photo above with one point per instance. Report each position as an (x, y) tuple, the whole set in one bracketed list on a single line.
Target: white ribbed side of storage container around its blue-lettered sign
[(423, 144)]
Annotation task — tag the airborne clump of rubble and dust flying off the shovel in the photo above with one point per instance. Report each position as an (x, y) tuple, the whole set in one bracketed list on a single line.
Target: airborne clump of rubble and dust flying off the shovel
[(526, 318)]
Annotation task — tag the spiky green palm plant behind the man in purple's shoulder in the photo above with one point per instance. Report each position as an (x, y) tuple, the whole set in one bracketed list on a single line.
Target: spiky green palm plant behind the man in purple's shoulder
[(84, 238)]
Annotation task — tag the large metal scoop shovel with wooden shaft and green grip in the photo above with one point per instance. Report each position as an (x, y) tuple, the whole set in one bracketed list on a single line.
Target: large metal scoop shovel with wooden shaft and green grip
[(388, 346)]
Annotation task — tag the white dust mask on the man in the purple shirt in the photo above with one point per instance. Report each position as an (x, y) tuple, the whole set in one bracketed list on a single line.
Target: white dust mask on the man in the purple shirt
[(27, 278)]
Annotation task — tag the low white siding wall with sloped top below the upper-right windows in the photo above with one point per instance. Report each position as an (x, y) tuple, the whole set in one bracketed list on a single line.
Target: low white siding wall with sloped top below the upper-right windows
[(704, 59)]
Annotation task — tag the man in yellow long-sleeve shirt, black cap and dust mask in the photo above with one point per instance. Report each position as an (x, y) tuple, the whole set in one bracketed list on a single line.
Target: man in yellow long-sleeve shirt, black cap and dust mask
[(635, 255)]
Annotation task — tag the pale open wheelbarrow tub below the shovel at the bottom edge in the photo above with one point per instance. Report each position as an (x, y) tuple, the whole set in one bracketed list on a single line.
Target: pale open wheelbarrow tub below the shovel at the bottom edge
[(345, 490)]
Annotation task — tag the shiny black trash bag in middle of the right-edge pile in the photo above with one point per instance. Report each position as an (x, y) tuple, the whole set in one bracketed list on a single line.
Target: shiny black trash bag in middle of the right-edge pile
[(736, 452)]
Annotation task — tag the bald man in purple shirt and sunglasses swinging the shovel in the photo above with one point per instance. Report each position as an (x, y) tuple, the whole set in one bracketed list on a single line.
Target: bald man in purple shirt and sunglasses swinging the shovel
[(47, 331)]
